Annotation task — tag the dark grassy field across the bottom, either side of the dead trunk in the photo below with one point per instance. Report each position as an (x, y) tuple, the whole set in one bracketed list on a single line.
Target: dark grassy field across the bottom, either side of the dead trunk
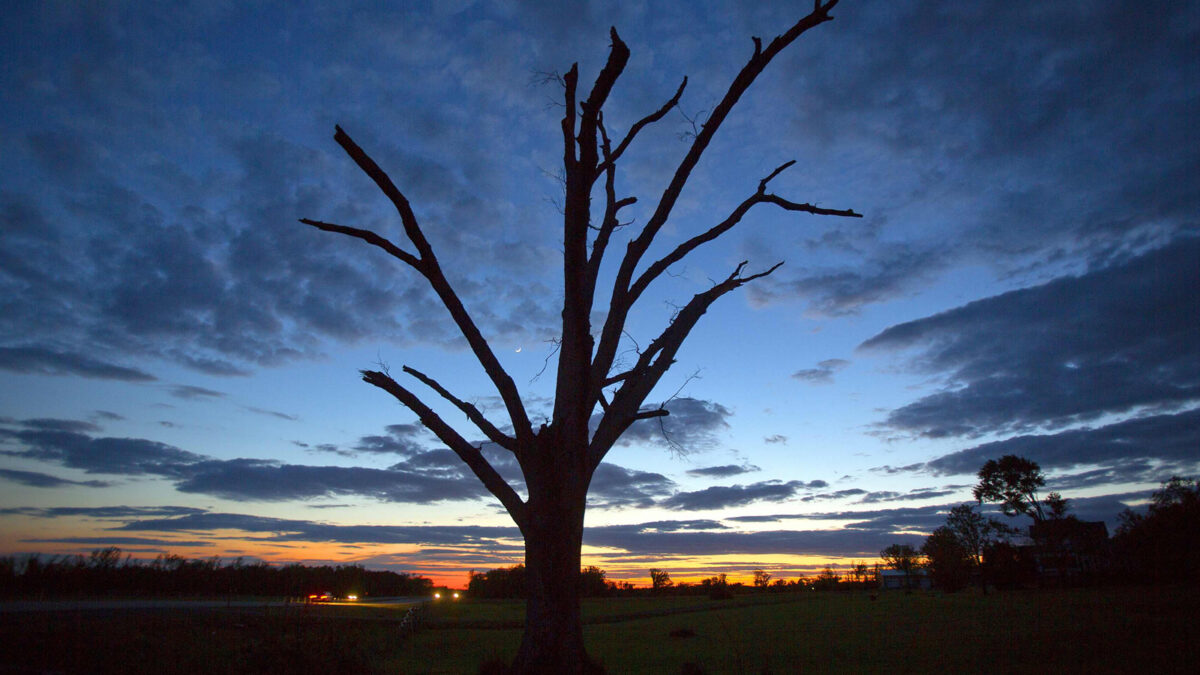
[(1133, 630)]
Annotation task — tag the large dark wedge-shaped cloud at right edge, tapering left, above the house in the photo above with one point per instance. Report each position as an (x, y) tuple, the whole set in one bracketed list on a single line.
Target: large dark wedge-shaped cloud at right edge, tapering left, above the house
[(1109, 342)]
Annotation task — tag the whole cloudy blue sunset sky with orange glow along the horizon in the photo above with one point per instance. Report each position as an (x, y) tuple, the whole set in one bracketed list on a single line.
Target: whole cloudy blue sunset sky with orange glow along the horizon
[(179, 356)]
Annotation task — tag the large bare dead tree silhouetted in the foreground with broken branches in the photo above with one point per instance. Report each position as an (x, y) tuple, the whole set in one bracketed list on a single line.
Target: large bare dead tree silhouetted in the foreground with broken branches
[(559, 458)]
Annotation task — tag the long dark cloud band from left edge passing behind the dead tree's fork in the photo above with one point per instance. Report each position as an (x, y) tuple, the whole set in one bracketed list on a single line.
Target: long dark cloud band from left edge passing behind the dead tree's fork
[(423, 476)]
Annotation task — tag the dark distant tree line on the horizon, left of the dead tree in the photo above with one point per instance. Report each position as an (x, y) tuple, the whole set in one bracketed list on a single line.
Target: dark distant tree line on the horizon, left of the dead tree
[(107, 574)]
